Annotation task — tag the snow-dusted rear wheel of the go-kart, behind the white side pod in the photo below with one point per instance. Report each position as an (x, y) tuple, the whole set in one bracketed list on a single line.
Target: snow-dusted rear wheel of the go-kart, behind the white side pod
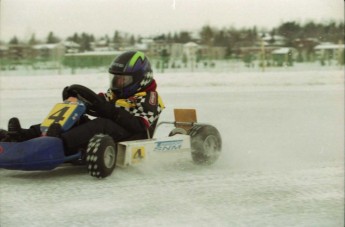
[(206, 144)]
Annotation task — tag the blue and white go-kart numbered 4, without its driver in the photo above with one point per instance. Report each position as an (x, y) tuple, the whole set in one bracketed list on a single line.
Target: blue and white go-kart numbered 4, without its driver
[(102, 154)]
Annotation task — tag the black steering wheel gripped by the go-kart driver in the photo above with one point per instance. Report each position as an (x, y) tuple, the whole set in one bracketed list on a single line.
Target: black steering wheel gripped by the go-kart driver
[(84, 94)]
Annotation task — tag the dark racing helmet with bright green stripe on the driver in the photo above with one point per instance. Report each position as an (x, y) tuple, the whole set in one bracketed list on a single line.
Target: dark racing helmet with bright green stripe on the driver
[(130, 72)]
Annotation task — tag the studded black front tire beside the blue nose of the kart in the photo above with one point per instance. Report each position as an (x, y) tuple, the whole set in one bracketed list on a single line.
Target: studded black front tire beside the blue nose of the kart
[(101, 156)]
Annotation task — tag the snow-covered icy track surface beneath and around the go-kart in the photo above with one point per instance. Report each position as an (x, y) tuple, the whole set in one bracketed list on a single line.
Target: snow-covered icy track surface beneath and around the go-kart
[(282, 162)]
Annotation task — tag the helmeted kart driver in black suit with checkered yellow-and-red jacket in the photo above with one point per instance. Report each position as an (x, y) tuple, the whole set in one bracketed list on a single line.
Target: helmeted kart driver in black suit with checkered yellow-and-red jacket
[(129, 110)]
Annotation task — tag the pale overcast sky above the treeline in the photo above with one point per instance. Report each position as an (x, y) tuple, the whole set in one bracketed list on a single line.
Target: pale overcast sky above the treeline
[(151, 17)]
